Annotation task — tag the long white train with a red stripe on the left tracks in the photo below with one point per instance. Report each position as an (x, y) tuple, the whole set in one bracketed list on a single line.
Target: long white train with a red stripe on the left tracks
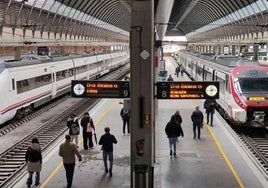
[(35, 80)]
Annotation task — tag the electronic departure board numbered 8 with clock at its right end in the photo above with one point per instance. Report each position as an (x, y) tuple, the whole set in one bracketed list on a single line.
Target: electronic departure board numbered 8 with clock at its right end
[(187, 90)]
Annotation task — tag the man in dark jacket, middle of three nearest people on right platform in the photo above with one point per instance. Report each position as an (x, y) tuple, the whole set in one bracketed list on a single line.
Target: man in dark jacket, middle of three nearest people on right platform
[(197, 119)]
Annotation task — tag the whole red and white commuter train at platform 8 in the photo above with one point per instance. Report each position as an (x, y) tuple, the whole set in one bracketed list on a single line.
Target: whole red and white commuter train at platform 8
[(243, 85)]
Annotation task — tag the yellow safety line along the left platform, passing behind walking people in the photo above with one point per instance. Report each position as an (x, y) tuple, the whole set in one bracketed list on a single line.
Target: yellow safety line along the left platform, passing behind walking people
[(55, 171)]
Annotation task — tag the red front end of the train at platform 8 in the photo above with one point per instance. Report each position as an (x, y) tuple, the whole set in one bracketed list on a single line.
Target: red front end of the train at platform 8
[(250, 92)]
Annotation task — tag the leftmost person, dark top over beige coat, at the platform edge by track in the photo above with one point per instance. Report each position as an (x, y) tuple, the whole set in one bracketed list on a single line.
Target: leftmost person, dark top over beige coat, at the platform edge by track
[(33, 159)]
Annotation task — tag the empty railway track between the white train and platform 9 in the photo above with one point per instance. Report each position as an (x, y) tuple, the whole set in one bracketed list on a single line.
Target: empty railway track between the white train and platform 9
[(12, 161)]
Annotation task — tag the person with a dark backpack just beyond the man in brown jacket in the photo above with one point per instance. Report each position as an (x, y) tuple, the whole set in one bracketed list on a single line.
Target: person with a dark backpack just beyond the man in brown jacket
[(74, 129)]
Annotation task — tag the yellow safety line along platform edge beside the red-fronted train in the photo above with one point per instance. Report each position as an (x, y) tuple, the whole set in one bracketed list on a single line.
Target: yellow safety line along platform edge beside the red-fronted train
[(239, 181)]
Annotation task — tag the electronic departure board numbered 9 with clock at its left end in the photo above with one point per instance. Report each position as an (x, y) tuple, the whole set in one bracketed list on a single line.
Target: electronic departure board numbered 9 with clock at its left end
[(100, 89)]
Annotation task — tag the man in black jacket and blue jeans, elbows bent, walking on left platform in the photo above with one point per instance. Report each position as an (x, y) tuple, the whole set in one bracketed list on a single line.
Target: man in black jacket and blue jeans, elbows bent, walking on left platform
[(107, 140)]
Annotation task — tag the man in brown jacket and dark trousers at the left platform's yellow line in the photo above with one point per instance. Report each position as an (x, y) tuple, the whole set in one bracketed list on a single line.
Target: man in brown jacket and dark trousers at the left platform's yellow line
[(68, 151)]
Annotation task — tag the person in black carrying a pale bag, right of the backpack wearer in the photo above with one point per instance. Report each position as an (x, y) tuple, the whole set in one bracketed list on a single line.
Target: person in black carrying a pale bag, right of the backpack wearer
[(88, 127)]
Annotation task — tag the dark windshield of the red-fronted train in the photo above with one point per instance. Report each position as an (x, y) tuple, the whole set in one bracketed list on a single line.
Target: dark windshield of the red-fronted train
[(251, 85)]
